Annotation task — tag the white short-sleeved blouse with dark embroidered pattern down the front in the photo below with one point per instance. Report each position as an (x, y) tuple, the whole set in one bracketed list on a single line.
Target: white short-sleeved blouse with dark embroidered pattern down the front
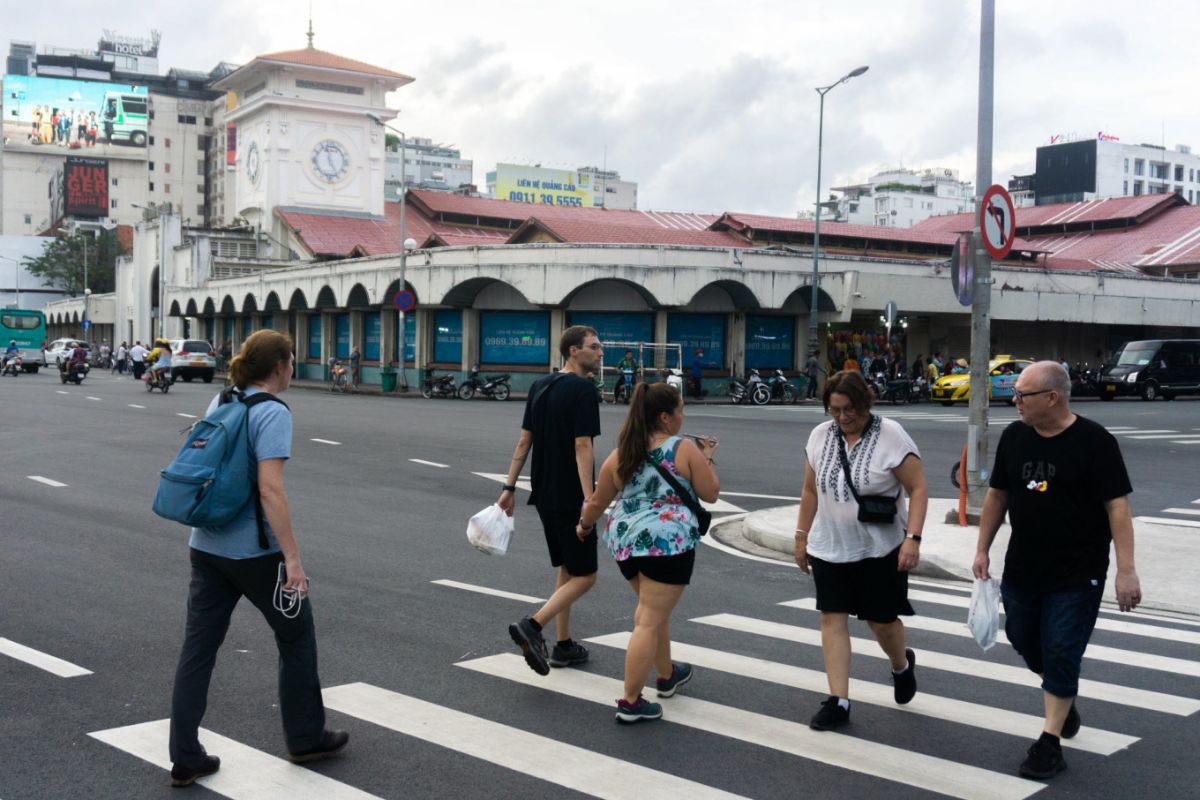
[(837, 536)]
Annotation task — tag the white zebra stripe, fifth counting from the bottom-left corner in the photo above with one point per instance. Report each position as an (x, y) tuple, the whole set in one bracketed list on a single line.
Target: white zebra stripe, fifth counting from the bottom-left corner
[(1001, 673)]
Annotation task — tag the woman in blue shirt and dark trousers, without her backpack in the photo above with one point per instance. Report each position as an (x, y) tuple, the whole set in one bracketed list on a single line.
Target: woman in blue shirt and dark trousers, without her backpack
[(260, 562)]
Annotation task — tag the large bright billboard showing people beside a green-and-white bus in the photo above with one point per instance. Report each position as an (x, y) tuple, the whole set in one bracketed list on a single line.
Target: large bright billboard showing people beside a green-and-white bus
[(61, 116)]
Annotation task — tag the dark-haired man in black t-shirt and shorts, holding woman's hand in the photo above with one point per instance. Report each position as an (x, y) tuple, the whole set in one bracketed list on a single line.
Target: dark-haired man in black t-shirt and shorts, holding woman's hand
[(561, 419)]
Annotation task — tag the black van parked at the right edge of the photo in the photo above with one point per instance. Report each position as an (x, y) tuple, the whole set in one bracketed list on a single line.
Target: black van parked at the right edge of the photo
[(1153, 369)]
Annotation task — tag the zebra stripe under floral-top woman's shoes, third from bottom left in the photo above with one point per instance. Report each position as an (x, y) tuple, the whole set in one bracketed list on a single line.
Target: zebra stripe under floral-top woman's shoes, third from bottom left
[(861, 756)]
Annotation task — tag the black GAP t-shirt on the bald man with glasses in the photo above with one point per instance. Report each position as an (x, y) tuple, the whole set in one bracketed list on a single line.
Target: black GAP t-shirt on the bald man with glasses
[(1057, 492)]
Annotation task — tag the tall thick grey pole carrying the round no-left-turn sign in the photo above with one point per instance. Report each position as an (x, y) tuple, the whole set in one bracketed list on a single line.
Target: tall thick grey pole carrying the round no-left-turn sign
[(981, 305)]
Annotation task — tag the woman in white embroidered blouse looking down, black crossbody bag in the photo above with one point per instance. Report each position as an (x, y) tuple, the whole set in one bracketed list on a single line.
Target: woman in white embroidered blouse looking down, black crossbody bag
[(860, 568)]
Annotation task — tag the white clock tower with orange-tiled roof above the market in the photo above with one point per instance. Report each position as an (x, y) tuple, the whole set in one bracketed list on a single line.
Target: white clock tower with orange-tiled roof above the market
[(304, 137)]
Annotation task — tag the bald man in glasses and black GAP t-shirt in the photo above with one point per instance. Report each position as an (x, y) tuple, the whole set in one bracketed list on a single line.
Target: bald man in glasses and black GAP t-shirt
[(1064, 483)]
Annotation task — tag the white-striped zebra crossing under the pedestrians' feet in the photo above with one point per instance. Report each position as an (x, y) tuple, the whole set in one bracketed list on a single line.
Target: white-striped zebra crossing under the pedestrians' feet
[(965, 694)]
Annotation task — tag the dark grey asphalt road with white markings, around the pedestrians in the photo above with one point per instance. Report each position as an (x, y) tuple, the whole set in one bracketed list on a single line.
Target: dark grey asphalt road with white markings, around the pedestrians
[(424, 675)]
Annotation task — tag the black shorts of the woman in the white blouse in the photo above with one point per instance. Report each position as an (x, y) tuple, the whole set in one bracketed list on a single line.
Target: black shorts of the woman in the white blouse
[(872, 590)]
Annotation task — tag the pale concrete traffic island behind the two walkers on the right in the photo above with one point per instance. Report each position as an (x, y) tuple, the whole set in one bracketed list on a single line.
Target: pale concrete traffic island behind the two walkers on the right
[(1168, 557)]
